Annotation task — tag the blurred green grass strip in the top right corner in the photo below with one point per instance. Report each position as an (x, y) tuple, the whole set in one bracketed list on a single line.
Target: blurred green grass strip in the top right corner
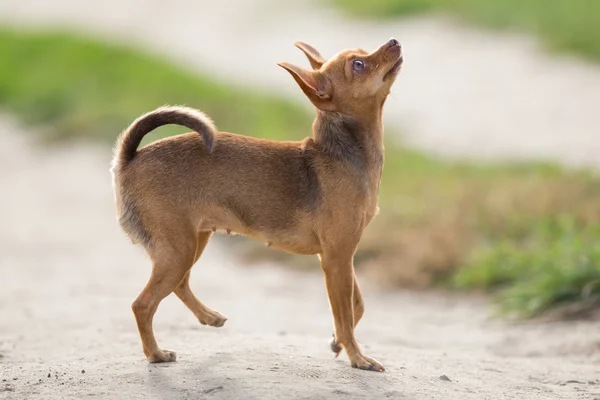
[(566, 25)]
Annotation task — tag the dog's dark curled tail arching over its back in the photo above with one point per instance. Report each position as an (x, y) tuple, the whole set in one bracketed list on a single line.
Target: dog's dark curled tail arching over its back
[(130, 139)]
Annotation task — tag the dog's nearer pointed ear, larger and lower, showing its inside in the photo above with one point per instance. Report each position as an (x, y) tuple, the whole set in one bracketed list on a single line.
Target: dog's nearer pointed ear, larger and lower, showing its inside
[(314, 84)]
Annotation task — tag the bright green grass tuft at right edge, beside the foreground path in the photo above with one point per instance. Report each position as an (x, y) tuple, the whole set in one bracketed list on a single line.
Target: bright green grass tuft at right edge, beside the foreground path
[(558, 266)]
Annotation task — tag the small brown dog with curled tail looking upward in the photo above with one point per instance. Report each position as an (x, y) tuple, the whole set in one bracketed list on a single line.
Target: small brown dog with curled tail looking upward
[(310, 197)]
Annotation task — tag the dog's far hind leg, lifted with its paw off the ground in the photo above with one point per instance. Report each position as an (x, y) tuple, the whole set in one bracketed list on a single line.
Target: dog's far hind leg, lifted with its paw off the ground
[(205, 315)]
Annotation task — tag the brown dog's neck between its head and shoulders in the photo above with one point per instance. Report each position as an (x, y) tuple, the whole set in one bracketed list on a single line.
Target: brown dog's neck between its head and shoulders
[(349, 140)]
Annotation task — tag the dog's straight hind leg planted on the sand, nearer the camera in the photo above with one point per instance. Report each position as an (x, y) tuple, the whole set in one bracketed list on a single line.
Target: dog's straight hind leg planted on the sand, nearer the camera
[(169, 266)]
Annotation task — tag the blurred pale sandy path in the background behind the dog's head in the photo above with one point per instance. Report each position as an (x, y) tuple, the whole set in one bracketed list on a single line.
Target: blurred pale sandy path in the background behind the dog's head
[(462, 92)]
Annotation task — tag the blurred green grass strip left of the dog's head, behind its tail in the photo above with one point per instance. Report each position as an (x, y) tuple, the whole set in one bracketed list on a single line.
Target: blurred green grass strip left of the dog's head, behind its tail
[(83, 88)]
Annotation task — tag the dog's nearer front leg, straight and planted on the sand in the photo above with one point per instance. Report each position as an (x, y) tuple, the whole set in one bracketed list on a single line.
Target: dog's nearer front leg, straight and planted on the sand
[(339, 278)]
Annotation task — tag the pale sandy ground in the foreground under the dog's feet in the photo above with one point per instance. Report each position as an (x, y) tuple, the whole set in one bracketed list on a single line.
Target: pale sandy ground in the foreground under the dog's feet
[(69, 276)]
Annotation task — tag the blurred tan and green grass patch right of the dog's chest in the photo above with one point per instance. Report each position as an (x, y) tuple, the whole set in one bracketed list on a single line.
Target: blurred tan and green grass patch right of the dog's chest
[(529, 234)]
